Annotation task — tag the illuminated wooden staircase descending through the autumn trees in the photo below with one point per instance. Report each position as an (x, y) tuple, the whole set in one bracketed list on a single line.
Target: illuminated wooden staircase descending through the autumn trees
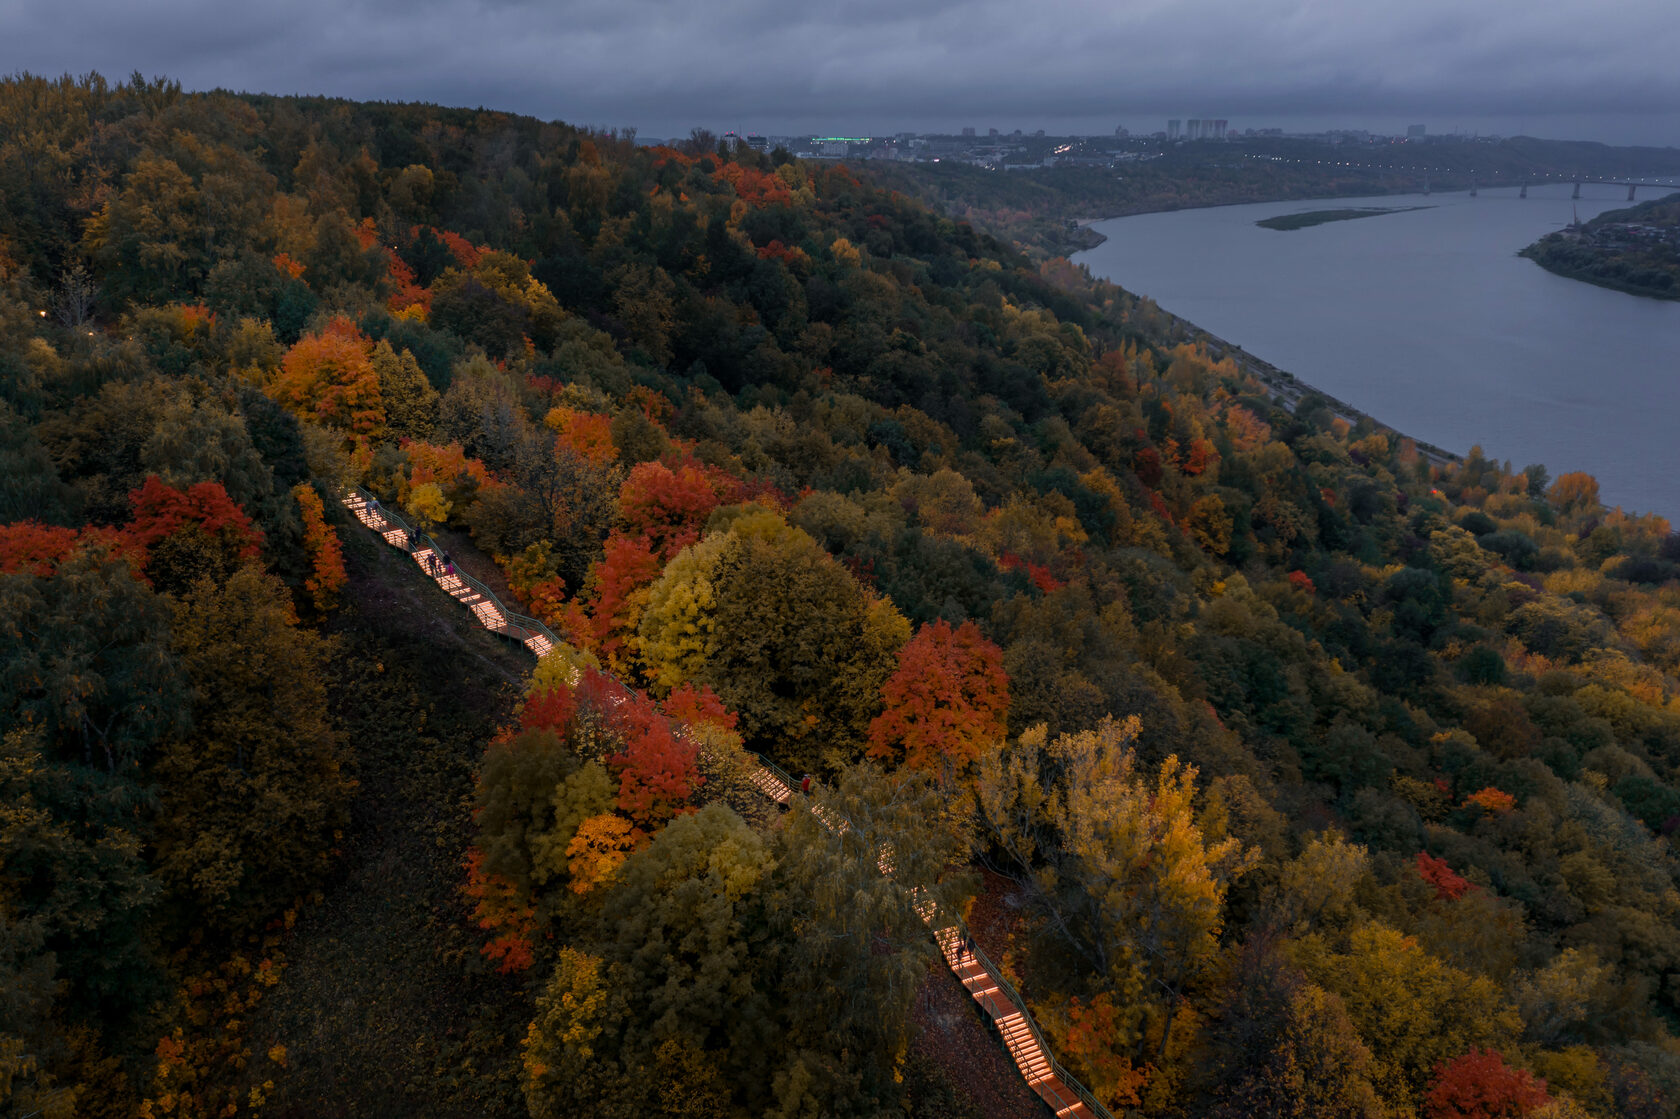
[(979, 975)]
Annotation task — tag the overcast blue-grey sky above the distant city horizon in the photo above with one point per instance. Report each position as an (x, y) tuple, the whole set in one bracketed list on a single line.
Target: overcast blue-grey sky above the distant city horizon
[(1588, 70)]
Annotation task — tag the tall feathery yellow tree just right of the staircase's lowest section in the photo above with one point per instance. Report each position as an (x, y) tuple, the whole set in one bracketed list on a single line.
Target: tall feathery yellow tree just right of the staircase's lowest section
[(1130, 880)]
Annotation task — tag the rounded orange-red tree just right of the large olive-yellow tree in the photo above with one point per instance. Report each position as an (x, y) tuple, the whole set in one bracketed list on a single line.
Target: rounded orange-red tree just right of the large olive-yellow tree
[(947, 700)]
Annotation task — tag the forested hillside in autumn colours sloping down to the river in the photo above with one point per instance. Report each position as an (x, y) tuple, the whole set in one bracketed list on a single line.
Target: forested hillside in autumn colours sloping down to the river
[(1313, 780)]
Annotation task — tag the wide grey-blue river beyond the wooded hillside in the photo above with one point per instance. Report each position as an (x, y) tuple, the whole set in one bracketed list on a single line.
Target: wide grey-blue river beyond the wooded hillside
[(1432, 323)]
